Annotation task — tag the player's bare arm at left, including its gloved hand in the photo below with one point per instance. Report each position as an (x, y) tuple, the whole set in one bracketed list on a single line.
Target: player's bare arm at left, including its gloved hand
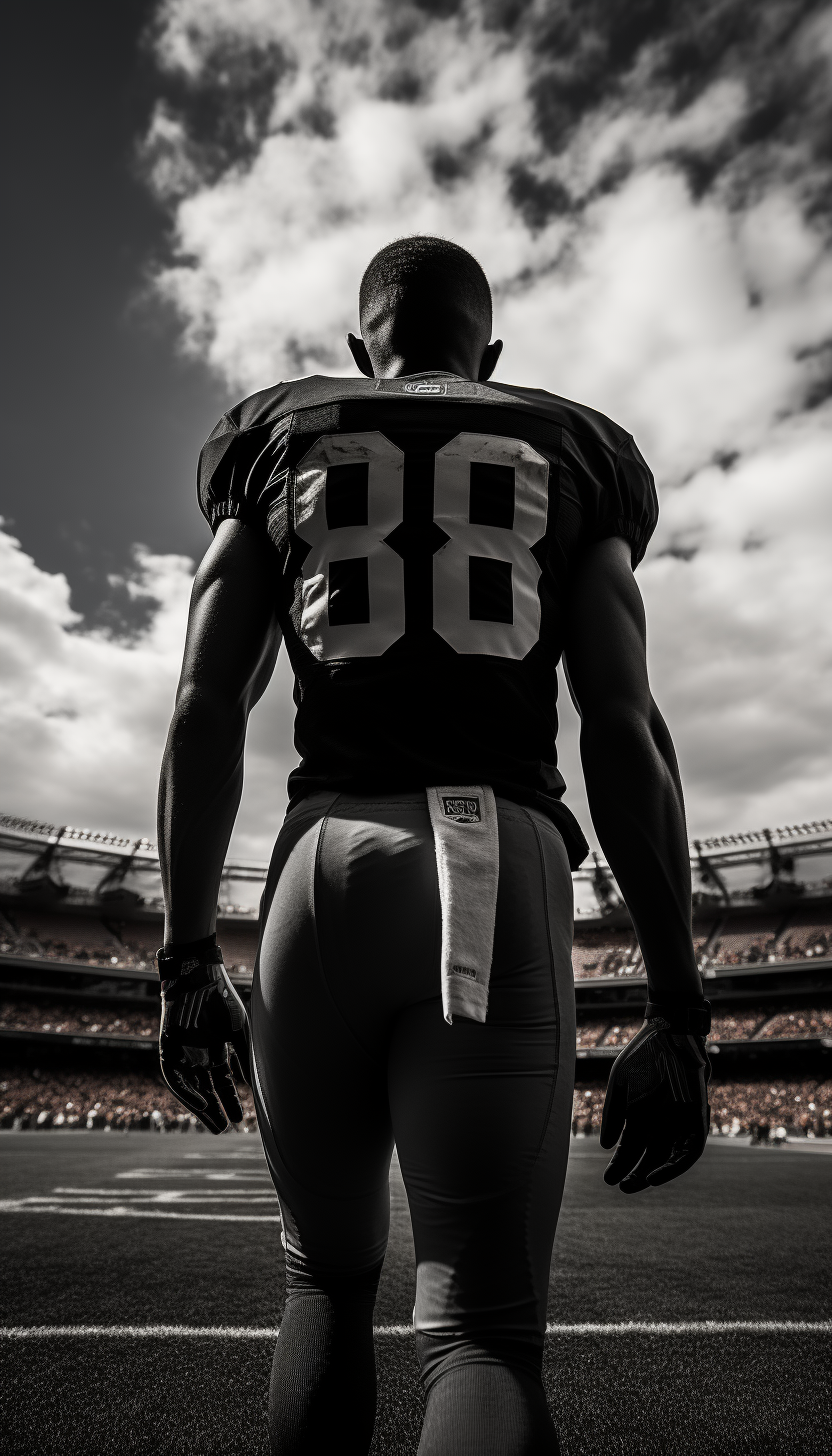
[(231, 652)]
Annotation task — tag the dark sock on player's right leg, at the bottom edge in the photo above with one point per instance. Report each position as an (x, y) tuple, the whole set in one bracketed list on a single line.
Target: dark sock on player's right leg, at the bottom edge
[(487, 1410)]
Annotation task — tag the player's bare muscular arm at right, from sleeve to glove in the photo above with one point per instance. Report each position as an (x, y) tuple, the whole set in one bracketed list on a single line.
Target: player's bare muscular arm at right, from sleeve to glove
[(630, 768)]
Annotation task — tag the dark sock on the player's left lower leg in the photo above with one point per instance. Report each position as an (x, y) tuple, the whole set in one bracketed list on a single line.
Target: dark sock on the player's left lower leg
[(323, 1396)]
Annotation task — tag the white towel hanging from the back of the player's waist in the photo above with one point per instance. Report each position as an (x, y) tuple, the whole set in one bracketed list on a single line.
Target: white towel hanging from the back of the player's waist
[(468, 864)]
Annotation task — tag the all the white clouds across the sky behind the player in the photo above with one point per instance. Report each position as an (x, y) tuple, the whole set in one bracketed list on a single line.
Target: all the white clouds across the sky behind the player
[(649, 191)]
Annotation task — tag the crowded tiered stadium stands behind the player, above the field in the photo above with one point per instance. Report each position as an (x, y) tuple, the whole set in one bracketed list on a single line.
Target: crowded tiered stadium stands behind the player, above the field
[(81, 919)]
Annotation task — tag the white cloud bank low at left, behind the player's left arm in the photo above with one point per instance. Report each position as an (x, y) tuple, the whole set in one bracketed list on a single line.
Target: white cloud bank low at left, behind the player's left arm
[(84, 716)]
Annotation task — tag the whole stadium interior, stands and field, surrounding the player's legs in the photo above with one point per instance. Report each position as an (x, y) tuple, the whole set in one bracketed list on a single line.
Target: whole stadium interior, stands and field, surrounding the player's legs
[(145, 1279)]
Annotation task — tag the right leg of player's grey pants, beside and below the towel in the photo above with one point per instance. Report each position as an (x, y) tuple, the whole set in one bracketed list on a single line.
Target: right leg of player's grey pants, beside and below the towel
[(482, 1113)]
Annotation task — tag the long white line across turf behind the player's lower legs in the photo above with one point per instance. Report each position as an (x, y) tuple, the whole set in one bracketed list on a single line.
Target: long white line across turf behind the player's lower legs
[(633, 1327)]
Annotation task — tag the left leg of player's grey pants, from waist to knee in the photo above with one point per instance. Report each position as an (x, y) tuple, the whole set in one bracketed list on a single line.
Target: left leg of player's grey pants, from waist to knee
[(350, 933)]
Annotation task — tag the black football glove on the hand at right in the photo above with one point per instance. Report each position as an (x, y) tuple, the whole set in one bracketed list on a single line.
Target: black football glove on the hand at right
[(658, 1099)]
